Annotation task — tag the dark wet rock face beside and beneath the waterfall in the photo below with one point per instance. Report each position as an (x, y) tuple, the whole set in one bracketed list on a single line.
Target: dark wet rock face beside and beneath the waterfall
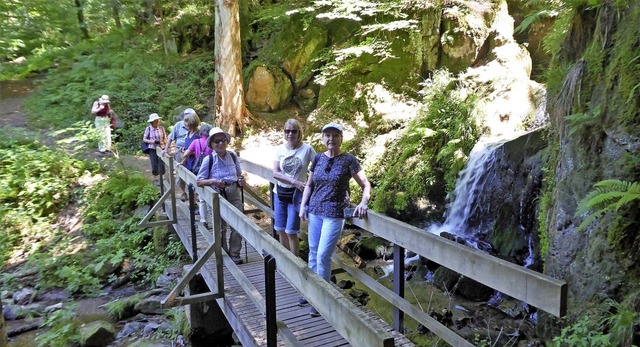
[(503, 213)]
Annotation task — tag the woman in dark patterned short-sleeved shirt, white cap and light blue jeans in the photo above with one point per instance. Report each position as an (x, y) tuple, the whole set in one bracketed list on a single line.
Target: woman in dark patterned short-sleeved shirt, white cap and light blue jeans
[(327, 195)]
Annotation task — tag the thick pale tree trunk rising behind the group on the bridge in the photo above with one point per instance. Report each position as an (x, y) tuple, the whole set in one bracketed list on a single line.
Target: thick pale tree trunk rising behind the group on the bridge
[(231, 112)]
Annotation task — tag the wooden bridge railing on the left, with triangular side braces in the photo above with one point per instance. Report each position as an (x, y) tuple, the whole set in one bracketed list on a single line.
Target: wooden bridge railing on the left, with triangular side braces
[(339, 311)]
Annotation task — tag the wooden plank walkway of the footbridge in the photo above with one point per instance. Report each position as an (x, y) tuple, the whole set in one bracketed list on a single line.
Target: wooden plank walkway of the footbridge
[(245, 318)]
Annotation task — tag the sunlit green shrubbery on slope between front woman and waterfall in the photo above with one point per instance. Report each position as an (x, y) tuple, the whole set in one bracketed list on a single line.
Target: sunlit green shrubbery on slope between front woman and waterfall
[(432, 151)]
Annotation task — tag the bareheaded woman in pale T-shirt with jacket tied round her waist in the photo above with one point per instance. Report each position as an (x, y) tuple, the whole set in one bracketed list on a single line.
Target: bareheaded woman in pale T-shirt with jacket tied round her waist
[(290, 166)]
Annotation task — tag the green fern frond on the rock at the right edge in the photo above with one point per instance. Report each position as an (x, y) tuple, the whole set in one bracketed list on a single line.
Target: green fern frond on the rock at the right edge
[(608, 196)]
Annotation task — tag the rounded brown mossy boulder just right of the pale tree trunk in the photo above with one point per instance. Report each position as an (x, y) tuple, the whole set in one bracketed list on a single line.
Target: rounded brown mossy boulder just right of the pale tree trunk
[(268, 89)]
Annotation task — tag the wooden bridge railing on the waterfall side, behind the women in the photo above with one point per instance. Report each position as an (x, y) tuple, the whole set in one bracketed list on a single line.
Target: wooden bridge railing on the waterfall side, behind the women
[(536, 289)]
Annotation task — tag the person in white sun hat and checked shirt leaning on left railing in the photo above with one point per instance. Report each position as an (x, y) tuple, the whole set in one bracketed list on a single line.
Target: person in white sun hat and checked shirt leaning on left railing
[(221, 171)]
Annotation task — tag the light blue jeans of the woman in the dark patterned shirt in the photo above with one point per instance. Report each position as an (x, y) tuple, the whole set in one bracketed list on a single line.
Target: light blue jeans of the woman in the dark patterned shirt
[(324, 233)]
